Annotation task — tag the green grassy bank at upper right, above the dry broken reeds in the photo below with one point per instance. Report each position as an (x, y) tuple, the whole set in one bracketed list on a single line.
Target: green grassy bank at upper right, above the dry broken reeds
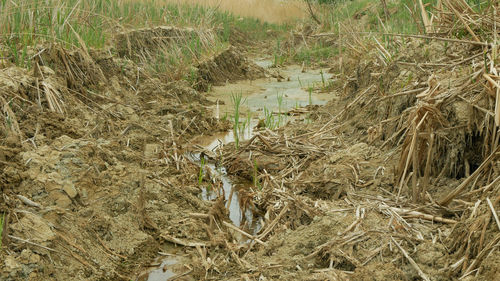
[(361, 20)]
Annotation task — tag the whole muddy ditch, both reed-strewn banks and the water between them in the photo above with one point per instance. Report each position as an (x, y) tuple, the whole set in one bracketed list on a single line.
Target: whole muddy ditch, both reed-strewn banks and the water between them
[(111, 173)]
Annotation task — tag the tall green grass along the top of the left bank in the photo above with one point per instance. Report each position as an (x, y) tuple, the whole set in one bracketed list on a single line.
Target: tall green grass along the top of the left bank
[(27, 23)]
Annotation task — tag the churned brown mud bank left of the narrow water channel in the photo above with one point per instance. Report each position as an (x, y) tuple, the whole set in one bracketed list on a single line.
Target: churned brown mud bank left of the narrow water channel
[(93, 166)]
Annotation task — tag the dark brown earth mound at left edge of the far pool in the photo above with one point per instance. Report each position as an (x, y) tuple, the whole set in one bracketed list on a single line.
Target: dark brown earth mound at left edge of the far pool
[(229, 65)]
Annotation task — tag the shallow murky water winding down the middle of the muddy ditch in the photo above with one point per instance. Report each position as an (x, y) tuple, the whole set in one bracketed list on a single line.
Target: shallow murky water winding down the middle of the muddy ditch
[(259, 94)]
